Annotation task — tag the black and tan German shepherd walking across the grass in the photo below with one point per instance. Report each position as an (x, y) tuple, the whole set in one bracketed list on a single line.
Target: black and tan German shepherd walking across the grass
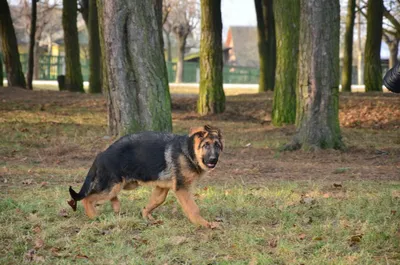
[(162, 160)]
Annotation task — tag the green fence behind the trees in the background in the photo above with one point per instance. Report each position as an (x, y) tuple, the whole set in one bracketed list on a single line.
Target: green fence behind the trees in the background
[(52, 66)]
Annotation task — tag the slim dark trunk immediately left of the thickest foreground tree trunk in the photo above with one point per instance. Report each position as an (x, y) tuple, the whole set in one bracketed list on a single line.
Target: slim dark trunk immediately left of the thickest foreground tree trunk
[(94, 49)]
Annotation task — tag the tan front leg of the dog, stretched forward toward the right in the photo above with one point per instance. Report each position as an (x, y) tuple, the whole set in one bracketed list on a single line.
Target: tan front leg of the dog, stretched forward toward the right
[(191, 209)]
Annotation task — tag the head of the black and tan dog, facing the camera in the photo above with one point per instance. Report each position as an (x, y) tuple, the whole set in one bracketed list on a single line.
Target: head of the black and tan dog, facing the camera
[(207, 145)]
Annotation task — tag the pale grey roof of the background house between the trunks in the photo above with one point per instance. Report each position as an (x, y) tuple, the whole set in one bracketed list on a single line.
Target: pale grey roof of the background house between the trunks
[(243, 41)]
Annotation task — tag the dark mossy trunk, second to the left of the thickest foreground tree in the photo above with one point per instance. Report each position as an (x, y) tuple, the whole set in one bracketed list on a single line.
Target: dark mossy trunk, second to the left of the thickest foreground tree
[(73, 72)]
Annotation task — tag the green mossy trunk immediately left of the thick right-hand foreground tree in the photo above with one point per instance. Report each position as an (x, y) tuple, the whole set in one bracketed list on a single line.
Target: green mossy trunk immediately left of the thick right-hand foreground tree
[(284, 104)]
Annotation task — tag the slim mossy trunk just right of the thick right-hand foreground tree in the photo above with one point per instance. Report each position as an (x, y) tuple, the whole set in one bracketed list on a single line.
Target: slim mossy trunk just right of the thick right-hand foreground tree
[(348, 47)]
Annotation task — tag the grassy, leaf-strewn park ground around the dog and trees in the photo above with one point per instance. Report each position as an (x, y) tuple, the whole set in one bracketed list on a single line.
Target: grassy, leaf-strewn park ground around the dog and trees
[(274, 207)]
